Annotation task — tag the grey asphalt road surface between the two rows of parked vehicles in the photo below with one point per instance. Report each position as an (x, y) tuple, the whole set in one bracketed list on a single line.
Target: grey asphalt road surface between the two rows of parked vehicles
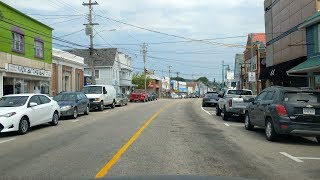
[(164, 137)]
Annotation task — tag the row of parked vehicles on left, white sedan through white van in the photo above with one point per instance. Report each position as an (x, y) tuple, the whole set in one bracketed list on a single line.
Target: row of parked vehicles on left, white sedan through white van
[(20, 112)]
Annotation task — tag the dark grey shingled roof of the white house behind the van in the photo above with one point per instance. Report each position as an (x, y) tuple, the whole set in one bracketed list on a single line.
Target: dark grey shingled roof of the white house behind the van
[(101, 57)]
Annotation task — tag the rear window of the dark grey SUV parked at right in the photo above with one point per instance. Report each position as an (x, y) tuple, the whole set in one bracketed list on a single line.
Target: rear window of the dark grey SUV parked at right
[(307, 97)]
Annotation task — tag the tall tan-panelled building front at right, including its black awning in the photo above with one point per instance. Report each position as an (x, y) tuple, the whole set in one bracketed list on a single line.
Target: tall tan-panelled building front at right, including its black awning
[(286, 43)]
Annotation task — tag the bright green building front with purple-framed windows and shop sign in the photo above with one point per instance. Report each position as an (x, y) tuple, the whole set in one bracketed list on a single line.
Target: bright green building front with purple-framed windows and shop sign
[(25, 53)]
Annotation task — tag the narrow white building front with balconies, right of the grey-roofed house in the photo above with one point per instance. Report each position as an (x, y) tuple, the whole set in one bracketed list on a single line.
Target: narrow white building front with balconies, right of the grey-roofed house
[(125, 73)]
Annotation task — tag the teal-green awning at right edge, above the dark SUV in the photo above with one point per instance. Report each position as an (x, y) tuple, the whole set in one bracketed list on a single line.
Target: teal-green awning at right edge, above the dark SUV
[(310, 65)]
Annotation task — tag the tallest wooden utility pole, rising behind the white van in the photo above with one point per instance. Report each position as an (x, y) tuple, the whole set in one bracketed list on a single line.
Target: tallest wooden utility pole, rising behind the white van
[(89, 31)]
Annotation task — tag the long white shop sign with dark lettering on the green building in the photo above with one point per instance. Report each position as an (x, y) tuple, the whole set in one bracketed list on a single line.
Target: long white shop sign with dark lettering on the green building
[(28, 70)]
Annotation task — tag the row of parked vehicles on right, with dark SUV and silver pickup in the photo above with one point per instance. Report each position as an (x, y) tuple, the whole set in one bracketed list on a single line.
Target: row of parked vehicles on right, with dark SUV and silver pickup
[(278, 110)]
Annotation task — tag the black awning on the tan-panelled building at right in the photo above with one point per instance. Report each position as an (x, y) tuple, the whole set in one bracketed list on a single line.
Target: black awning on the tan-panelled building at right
[(279, 71)]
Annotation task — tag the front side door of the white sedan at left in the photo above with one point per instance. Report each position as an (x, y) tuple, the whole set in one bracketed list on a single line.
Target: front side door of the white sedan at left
[(36, 115)]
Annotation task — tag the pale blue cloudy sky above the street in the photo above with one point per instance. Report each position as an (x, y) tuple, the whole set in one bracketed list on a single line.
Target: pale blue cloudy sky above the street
[(224, 22)]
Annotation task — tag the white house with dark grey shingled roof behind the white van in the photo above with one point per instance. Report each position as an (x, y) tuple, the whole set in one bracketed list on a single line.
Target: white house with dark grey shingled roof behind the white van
[(107, 66)]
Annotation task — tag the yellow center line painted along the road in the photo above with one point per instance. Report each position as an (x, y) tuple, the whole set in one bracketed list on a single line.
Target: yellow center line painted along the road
[(123, 149)]
